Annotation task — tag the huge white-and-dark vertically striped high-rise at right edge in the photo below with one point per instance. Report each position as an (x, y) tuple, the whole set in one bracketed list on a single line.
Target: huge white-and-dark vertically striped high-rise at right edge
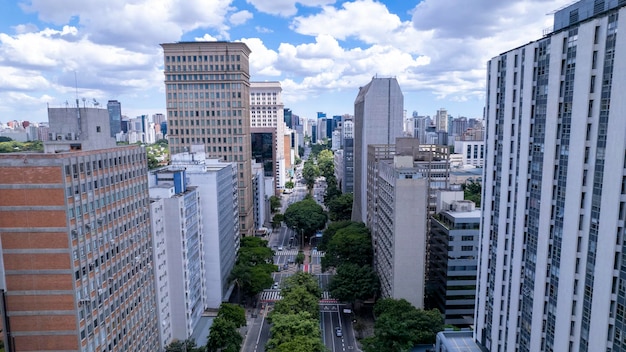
[(552, 273)]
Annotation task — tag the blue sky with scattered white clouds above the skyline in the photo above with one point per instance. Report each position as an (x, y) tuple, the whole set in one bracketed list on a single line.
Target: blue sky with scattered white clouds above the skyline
[(322, 51)]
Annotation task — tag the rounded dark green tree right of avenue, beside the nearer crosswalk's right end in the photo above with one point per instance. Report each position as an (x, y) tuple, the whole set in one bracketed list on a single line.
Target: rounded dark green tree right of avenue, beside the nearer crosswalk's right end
[(353, 282)]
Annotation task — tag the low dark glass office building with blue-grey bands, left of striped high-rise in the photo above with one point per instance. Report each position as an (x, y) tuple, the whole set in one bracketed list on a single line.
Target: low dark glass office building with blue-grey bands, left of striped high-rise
[(453, 261)]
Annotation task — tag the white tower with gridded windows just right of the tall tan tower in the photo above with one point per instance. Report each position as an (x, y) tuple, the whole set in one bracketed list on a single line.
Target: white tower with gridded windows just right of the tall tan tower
[(267, 113)]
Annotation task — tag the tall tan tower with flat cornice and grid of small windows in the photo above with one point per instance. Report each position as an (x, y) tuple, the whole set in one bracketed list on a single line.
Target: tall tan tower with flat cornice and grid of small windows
[(207, 85)]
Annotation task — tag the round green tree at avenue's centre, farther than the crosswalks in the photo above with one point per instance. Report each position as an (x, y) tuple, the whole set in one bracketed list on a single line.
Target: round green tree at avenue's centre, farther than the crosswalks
[(306, 215)]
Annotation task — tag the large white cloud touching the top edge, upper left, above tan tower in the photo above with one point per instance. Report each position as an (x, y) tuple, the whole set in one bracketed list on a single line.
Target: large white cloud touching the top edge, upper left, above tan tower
[(136, 24)]
